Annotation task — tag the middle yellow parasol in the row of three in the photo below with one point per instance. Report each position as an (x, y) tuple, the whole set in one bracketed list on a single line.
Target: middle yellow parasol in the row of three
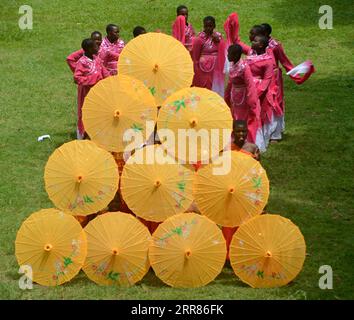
[(154, 186)]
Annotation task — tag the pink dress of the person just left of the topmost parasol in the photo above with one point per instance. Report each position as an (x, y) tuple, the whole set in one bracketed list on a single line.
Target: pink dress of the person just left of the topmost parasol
[(109, 53)]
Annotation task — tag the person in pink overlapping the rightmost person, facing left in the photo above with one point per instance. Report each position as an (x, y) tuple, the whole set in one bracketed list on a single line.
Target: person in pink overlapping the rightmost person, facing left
[(262, 65)]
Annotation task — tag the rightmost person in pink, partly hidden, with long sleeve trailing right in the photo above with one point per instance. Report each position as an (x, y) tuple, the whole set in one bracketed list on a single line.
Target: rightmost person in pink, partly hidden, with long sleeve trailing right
[(281, 59)]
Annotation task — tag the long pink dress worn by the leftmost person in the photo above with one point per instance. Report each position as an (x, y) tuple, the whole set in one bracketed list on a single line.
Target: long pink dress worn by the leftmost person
[(87, 73)]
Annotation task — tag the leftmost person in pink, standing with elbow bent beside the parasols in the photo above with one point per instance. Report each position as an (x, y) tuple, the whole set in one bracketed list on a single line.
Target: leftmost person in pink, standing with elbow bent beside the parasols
[(89, 70)]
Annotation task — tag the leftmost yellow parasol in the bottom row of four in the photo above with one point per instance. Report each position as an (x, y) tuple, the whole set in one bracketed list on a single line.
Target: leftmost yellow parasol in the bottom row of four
[(53, 245)]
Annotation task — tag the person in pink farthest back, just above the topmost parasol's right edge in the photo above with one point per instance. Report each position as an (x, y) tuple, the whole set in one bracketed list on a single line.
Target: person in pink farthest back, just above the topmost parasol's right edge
[(182, 30)]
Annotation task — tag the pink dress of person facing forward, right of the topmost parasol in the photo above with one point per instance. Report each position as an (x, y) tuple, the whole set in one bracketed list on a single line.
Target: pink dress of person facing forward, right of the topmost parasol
[(209, 60)]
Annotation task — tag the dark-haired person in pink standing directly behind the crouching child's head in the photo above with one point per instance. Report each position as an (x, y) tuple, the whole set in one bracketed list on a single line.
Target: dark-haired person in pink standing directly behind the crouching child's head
[(242, 96)]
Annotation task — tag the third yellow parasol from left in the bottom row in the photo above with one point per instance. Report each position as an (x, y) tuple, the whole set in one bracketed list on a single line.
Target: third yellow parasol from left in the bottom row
[(188, 250)]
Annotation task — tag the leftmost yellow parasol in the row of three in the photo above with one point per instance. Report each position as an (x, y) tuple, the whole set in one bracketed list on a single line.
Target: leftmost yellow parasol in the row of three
[(81, 178)]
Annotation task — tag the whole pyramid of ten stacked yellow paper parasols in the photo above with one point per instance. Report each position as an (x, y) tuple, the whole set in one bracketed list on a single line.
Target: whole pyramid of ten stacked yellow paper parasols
[(121, 115)]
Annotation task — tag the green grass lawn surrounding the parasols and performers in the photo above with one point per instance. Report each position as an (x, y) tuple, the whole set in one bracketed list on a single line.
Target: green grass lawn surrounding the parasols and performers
[(311, 171)]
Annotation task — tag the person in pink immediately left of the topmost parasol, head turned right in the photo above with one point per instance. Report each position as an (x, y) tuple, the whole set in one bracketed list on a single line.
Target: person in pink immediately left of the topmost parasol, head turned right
[(110, 49)]
